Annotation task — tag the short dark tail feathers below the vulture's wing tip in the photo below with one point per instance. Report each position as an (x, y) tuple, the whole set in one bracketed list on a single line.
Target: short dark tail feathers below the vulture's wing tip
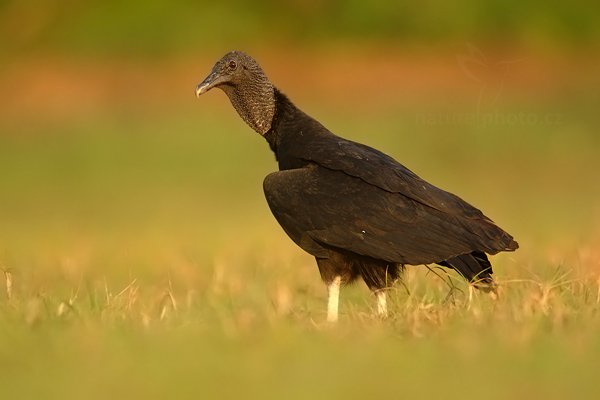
[(474, 267)]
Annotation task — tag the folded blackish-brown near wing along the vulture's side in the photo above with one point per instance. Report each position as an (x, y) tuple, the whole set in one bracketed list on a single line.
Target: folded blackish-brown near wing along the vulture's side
[(320, 207)]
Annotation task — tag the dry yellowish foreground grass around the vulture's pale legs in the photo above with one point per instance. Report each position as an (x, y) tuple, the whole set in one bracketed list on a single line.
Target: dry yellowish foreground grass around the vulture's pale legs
[(265, 329)]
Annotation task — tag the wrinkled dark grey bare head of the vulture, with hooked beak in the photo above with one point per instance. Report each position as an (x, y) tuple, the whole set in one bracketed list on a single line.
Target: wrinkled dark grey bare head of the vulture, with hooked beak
[(248, 88)]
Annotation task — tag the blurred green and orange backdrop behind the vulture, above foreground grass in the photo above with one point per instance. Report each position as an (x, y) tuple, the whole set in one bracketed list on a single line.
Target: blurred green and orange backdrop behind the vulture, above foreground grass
[(107, 158)]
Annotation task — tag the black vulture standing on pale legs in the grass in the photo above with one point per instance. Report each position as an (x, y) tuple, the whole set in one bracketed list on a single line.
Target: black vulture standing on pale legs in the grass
[(358, 211)]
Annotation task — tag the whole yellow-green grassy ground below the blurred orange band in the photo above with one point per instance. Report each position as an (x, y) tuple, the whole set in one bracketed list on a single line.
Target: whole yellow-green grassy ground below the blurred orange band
[(142, 261)]
